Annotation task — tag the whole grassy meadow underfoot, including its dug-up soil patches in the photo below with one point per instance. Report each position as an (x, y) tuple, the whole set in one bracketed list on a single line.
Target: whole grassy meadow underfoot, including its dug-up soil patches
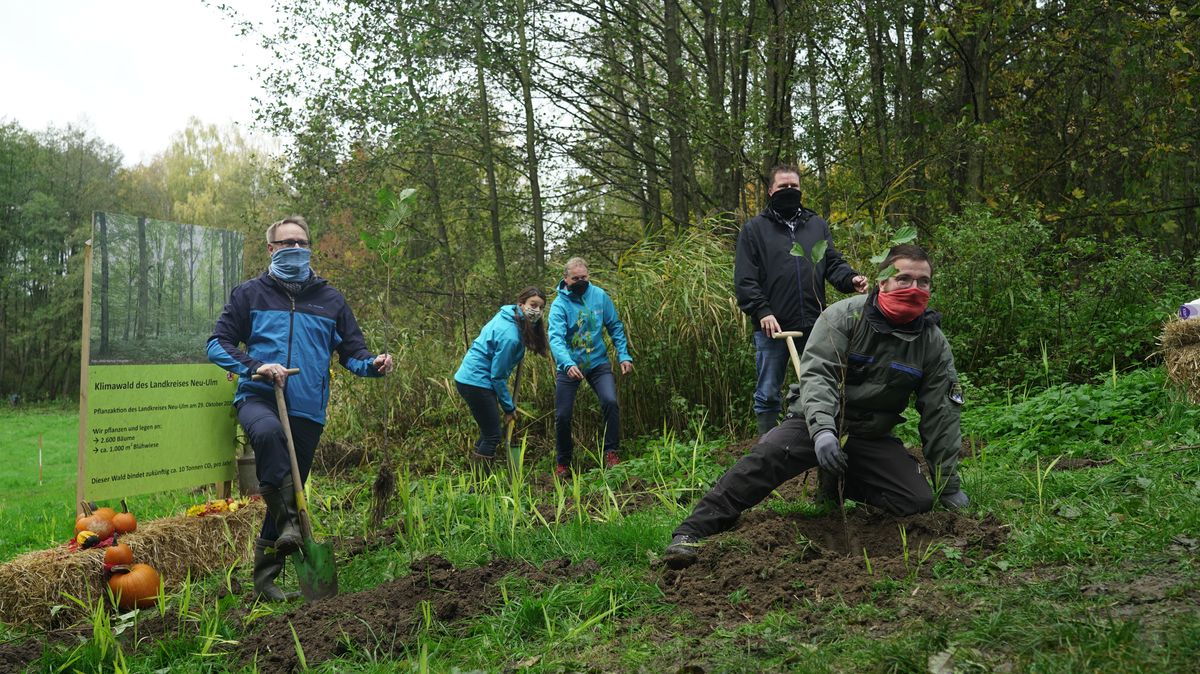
[(1090, 496)]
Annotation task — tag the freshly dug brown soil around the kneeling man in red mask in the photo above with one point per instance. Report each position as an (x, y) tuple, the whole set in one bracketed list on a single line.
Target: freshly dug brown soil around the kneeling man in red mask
[(772, 561)]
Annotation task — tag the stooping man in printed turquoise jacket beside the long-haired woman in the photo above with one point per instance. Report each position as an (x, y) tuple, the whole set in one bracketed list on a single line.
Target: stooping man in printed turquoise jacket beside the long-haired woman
[(578, 317)]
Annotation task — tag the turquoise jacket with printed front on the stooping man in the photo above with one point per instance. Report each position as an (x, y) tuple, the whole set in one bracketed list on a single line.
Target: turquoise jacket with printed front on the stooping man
[(575, 329)]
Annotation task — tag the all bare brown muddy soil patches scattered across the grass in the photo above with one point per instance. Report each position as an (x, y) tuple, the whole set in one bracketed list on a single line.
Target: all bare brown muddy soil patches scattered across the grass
[(769, 562)]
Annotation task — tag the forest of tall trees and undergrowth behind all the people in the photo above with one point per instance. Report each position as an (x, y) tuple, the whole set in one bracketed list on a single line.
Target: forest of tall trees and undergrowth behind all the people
[(1045, 152)]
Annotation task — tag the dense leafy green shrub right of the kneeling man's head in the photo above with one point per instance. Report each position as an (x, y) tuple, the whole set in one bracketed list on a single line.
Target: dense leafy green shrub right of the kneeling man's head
[(1023, 309)]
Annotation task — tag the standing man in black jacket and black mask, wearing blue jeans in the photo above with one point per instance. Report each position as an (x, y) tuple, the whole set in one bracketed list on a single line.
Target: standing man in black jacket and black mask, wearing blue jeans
[(783, 292)]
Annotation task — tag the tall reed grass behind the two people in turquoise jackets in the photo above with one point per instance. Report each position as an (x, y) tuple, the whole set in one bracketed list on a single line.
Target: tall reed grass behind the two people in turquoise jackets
[(693, 356)]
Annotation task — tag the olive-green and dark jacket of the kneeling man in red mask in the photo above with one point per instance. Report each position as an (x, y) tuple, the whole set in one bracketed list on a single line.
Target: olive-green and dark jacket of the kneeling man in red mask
[(883, 368)]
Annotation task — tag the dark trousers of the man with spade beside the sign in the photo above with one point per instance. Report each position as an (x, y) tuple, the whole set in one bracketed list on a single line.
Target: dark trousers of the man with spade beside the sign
[(261, 419)]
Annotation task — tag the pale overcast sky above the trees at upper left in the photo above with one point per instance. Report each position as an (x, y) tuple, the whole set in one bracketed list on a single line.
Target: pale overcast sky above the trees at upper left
[(130, 71)]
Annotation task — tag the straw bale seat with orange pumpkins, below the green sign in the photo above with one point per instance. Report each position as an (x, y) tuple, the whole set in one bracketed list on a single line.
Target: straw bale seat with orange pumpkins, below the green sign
[(33, 585)]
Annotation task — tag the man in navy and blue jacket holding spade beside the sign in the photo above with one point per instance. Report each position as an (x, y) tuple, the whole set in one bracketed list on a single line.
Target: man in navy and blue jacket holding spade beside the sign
[(286, 318)]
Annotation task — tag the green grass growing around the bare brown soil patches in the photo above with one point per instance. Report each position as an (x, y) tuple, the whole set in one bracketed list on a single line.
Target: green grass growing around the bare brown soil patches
[(1099, 575)]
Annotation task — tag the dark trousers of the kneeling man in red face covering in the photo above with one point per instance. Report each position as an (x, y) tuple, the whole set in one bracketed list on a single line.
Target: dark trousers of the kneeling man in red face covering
[(880, 473)]
